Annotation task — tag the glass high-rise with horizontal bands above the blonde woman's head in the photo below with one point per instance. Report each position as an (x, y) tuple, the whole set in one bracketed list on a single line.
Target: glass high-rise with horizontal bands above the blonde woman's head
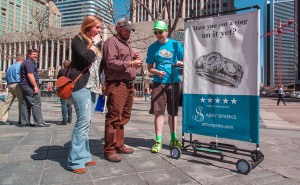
[(73, 11)]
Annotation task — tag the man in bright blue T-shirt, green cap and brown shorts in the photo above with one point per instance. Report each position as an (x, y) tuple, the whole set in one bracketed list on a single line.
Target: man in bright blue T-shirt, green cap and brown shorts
[(162, 54)]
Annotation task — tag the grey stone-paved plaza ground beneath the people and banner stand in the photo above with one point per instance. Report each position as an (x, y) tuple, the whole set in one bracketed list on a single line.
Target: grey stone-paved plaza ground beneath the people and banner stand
[(30, 156)]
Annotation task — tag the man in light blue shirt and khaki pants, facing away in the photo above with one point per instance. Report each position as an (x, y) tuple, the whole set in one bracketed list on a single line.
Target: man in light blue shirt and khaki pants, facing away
[(14, 90)]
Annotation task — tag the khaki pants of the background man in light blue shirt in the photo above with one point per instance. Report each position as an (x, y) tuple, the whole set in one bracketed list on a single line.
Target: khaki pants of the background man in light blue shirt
[(14, 90)]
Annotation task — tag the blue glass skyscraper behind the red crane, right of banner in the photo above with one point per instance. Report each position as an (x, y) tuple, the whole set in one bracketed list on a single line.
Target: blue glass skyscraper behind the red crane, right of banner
[(279, 66)]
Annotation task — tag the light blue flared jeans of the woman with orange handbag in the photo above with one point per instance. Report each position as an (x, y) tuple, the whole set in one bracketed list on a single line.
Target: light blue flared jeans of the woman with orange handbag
[(79, 153)]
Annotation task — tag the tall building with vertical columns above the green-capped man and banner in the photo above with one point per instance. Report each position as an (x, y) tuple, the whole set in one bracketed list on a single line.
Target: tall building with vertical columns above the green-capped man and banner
[(189, 8)]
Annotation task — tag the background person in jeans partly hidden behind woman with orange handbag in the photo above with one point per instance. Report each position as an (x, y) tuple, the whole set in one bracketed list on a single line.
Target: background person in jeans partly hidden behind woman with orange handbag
[(66, 105)]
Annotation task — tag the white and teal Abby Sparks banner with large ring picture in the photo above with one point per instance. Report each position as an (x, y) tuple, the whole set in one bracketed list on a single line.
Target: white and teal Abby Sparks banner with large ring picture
[(221, 77)]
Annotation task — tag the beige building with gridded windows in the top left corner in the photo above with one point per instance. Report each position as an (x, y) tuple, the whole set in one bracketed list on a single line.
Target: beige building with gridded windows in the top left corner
[(22, 16)]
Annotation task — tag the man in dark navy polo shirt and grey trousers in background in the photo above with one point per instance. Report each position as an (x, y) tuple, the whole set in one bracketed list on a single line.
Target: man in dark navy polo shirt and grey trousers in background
[(30, 90)]
